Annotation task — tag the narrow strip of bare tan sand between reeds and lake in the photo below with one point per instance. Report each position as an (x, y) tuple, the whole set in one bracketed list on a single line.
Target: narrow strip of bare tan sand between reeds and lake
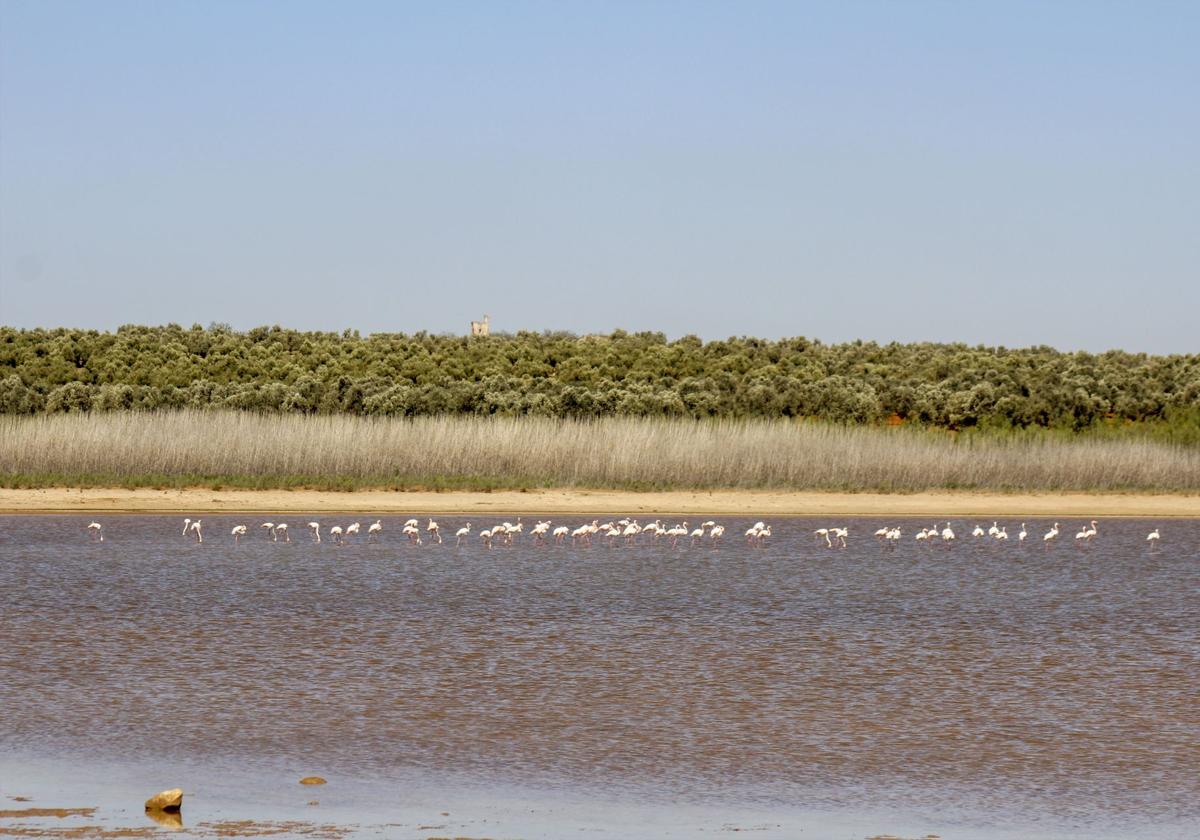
[(752, 503)]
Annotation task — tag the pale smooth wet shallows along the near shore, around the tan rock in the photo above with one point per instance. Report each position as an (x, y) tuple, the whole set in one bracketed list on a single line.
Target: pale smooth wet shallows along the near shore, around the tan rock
[(266, 801)]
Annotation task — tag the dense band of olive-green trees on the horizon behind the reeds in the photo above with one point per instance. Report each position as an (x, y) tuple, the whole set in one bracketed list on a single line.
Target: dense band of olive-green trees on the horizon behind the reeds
[(271, 369)]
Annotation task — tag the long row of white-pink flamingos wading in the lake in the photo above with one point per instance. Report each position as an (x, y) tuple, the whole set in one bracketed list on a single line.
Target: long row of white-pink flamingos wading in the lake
[(626, 531)]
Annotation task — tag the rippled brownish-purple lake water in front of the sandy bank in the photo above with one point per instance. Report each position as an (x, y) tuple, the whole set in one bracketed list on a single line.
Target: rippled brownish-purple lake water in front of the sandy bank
[(989, 687)]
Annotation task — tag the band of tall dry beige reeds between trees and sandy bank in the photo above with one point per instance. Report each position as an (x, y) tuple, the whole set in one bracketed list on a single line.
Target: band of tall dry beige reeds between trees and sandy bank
[(339, 452)]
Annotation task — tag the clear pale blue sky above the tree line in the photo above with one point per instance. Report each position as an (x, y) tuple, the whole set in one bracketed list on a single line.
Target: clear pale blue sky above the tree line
[(999, 173)]
